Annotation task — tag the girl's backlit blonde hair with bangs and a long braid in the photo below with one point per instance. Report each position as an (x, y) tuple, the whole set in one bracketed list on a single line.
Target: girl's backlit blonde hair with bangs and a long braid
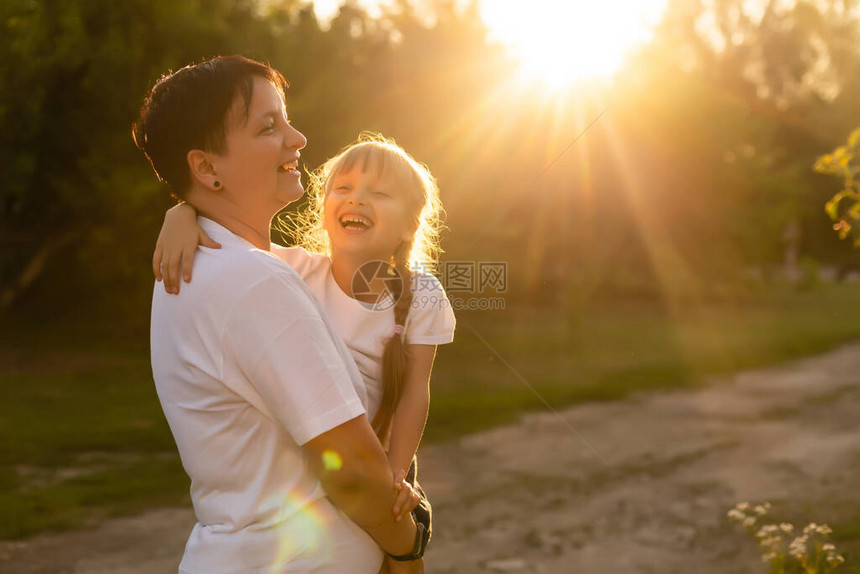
[(372, 151)]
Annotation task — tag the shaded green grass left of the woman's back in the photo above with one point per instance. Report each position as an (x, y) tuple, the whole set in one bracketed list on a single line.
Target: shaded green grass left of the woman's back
[(79, 444)]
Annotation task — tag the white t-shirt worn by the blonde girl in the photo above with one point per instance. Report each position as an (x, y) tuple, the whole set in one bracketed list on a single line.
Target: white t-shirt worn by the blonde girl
[(365, 328)]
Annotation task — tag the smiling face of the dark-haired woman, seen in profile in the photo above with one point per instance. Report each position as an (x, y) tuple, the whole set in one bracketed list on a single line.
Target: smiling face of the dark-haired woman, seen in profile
[(259, 167)]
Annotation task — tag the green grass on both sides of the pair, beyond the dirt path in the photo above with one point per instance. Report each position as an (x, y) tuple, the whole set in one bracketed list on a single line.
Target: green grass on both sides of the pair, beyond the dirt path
[(82, 434)]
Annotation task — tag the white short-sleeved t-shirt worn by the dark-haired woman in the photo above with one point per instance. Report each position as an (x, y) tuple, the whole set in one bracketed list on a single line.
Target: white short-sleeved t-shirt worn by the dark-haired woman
[(248, 369)]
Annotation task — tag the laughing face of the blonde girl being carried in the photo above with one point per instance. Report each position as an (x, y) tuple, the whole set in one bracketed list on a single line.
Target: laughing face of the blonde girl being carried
[(367, 216)]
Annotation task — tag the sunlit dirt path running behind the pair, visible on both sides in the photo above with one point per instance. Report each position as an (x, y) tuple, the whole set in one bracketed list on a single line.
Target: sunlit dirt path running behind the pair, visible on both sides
[(533, 497)]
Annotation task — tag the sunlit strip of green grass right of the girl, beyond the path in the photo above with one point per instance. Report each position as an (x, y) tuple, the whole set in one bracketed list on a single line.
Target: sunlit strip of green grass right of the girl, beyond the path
[(615, 348)]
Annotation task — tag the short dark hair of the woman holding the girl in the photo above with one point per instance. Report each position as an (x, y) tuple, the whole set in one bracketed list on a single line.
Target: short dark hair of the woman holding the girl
[(188, 110)]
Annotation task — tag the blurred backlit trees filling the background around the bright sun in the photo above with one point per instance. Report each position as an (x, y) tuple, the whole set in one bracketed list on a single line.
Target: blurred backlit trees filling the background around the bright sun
[(697, 177)]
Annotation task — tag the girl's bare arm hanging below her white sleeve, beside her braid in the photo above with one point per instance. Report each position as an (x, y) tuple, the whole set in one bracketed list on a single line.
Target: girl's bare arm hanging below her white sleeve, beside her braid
[(410, 415)]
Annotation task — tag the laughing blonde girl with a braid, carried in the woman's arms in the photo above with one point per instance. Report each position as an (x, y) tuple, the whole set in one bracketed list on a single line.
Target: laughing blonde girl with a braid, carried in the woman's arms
[(365, 248)]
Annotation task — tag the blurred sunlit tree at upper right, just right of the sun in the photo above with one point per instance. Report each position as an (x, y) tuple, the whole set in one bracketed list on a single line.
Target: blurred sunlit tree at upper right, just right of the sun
[(778, 72)]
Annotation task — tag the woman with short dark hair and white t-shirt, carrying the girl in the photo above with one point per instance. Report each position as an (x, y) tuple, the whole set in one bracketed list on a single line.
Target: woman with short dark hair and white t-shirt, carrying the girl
[(264, 402)]
